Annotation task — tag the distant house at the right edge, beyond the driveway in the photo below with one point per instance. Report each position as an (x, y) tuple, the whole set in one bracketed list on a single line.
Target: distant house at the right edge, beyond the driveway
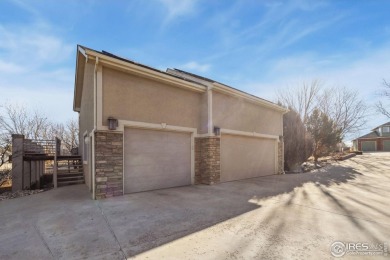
[(377, 140)]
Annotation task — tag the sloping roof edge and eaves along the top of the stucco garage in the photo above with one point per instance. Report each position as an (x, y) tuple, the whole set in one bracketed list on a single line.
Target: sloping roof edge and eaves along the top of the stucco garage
[(179, 80)]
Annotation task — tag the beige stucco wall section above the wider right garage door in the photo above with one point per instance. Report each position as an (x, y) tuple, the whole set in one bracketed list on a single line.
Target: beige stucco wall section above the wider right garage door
[(239, 114)]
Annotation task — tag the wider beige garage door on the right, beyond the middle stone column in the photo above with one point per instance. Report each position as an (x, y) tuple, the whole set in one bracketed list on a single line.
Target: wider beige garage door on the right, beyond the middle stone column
[(246, 157)]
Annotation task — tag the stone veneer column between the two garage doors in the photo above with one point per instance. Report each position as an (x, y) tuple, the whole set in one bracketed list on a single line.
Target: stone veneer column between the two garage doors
[(207, 160)]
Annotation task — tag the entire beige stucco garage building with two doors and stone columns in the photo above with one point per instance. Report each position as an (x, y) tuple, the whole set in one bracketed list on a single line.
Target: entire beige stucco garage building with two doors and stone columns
[(145, 129)]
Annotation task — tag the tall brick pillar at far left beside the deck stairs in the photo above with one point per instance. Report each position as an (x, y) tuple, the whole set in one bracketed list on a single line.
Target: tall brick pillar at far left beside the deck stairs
[(17, 162)]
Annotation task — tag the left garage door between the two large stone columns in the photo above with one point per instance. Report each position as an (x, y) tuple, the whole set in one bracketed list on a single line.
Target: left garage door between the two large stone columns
[(156, 159)]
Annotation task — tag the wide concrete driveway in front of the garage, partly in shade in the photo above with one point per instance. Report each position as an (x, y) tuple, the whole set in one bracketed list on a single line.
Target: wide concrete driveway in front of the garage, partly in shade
[(283, 216)]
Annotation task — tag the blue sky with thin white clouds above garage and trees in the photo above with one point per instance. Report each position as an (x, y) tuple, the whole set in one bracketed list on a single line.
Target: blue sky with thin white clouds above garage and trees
[(256, 46)]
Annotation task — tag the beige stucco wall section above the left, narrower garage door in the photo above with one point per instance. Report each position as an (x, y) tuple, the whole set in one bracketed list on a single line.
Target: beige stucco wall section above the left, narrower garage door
[(130, 97)]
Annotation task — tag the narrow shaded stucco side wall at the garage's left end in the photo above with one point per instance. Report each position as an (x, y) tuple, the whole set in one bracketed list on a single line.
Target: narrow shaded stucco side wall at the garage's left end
[(86, 122)]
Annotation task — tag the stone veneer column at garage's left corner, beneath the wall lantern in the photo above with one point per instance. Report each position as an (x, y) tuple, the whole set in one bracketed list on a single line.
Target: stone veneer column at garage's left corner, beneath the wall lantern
[(108, 164)]
